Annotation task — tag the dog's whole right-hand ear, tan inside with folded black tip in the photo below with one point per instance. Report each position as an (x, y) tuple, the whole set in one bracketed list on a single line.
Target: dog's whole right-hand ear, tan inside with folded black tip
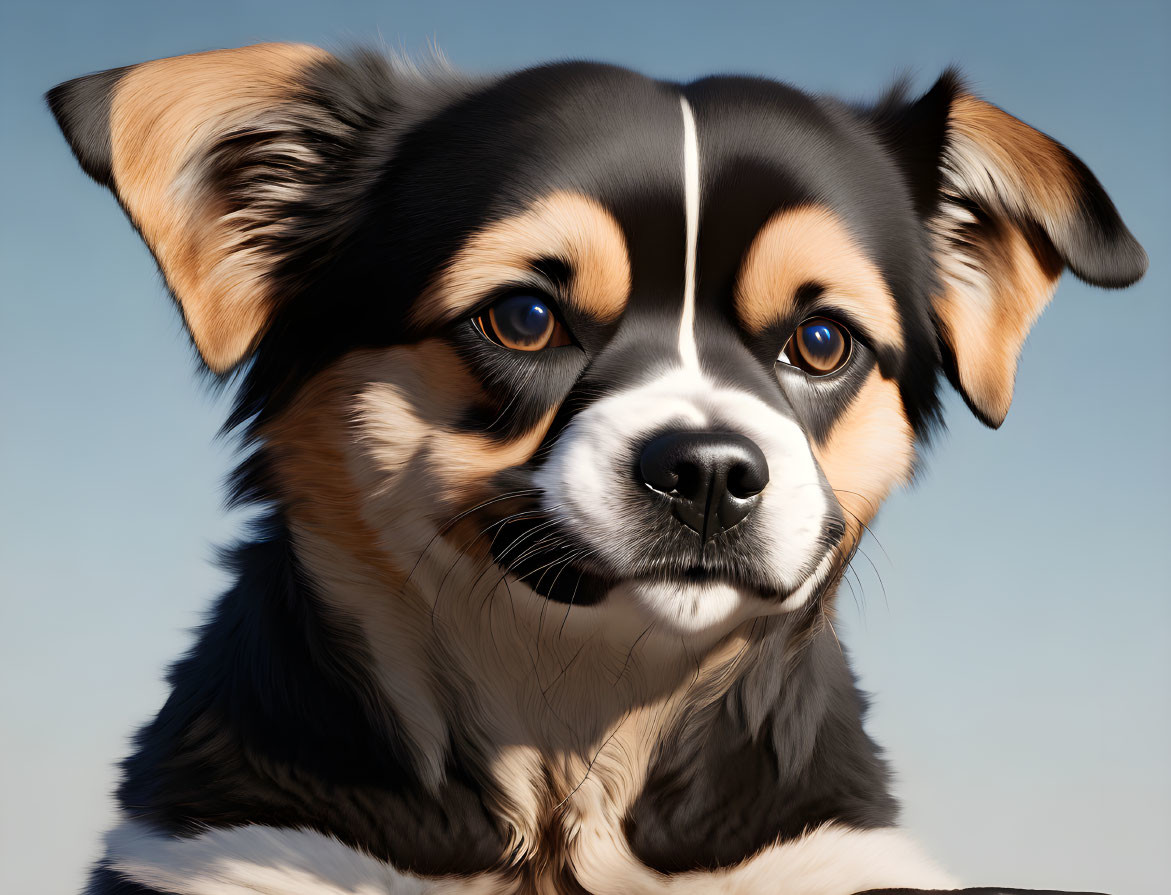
[(1009, 209)]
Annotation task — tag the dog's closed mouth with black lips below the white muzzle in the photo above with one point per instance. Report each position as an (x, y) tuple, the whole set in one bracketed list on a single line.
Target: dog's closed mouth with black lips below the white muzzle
[(537, 551)]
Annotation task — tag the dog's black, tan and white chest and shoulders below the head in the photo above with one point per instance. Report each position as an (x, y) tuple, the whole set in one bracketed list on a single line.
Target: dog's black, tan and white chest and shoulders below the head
[(669, 778)]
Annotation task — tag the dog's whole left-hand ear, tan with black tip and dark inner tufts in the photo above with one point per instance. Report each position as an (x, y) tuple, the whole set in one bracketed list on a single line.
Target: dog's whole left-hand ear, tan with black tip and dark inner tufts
[(220, 159)]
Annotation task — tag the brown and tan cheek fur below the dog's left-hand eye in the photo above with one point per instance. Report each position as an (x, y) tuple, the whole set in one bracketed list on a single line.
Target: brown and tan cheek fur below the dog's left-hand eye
[(372, 456)]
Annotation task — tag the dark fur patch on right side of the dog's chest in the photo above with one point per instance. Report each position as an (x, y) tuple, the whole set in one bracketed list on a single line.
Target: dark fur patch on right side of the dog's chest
[(713, 800)]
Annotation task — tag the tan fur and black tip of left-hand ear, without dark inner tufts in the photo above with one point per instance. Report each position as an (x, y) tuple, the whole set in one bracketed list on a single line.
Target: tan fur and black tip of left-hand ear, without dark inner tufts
[(163, 119)]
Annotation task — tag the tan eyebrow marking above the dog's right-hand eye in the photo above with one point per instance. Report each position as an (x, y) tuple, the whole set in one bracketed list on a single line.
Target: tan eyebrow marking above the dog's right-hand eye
[(805, 245)]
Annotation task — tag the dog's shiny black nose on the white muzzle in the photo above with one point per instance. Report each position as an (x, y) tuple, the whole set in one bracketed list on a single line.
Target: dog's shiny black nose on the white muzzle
[(714, 480)]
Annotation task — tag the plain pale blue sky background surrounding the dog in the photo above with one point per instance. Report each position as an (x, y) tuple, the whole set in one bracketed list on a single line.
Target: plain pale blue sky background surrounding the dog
[(1022, 653)]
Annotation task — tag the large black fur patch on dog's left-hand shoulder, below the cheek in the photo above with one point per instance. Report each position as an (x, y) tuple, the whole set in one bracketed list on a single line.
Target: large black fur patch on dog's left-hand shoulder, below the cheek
[(271, 721)]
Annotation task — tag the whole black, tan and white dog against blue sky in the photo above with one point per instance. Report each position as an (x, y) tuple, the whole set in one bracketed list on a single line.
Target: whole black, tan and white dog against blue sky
[(565, 399)]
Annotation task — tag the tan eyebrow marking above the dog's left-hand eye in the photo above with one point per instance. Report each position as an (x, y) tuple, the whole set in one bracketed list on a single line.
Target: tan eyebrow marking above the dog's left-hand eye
[(565, 226)]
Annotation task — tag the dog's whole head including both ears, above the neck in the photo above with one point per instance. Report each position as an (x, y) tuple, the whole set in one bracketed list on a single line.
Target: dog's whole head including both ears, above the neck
[(660, 351)]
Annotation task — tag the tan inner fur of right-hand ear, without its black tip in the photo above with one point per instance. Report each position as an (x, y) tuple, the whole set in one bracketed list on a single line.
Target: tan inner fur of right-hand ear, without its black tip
[(1008, 193)]
